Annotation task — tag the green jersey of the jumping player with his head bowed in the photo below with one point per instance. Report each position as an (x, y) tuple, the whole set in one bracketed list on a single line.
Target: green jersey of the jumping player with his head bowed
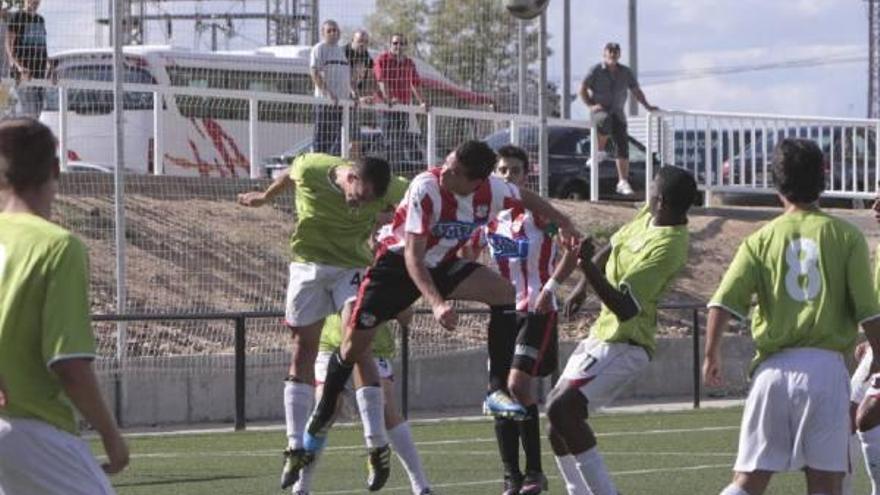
[(328, 231)]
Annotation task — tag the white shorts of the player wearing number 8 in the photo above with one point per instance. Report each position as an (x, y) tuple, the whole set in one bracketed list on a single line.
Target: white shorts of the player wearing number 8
[(797, 414)]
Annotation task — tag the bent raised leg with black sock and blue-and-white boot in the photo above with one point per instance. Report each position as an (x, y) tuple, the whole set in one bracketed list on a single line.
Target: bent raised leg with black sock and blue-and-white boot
[(484, 285)]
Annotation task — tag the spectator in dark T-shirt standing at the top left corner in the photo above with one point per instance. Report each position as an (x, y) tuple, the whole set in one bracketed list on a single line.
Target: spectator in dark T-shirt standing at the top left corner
[(27, 56)]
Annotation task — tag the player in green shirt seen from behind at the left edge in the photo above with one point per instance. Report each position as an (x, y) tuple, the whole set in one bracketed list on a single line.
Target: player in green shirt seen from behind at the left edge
[(46, 341)]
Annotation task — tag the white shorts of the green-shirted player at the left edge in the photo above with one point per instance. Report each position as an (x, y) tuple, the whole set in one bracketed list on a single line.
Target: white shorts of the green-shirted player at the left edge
[(36, 457)]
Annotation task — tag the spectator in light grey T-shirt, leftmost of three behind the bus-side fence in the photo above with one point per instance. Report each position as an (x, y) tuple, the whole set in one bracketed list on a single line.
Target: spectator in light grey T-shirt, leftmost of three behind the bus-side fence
[(332, 77)]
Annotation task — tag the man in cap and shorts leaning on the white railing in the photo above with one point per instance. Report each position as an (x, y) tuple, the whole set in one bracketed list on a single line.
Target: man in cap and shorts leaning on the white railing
[(604, 91)]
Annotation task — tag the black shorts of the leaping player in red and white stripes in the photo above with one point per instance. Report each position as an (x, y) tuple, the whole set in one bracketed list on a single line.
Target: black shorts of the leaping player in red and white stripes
[(387, 288)]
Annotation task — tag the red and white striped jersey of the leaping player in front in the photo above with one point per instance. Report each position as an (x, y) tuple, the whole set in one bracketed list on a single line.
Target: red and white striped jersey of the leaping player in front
[(448, 220)]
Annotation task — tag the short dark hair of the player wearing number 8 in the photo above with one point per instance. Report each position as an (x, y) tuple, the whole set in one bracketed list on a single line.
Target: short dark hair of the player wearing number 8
[(799, 170)]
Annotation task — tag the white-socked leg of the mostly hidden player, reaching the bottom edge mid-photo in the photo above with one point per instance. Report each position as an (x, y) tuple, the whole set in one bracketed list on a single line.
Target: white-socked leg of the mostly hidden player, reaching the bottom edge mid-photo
[(400, 435)]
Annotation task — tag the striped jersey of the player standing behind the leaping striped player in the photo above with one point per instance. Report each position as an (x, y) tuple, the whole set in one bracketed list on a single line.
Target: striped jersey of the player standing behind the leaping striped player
[(523, 250)]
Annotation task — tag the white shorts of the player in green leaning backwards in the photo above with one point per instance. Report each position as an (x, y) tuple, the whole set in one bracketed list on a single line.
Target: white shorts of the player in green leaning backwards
[(601, 369)]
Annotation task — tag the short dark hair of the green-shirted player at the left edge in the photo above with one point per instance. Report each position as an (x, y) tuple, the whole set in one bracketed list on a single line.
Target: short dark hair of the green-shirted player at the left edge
[(27, 154)]
